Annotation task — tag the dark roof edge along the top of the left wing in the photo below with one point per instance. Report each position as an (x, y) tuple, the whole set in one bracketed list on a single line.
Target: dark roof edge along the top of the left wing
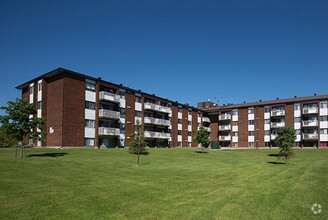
[(62, 70)]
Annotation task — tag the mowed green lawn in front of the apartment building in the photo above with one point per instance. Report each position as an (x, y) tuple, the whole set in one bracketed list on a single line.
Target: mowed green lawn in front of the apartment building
[(170, 184)]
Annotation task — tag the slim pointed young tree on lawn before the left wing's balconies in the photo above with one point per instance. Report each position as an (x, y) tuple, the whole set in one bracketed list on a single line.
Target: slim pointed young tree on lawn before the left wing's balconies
[(138, 145)]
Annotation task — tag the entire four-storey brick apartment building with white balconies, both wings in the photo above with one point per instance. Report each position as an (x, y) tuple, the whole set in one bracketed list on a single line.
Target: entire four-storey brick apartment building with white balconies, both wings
[(81, 110)]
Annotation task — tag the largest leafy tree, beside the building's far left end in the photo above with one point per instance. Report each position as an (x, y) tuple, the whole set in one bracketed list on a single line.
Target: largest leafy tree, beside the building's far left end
[(19, 123)]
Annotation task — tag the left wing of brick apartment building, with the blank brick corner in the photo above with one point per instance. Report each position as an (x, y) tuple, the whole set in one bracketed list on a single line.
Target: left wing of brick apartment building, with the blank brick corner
[(80, 110)]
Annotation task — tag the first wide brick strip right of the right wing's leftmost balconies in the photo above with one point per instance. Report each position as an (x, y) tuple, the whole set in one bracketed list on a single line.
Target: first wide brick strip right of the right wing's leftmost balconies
[(243, 127)]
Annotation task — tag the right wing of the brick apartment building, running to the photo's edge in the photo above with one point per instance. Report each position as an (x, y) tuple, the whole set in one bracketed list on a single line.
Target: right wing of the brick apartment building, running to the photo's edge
[(255, 124)]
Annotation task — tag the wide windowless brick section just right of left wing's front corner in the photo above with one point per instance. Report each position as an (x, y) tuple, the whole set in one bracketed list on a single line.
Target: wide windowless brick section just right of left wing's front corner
[(73, 111)]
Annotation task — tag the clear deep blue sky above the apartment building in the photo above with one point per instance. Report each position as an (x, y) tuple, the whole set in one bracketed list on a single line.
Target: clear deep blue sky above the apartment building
[(187, 51)]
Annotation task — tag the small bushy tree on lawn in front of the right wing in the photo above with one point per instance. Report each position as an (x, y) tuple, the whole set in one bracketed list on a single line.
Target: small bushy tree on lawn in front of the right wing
[(285, 141)]
